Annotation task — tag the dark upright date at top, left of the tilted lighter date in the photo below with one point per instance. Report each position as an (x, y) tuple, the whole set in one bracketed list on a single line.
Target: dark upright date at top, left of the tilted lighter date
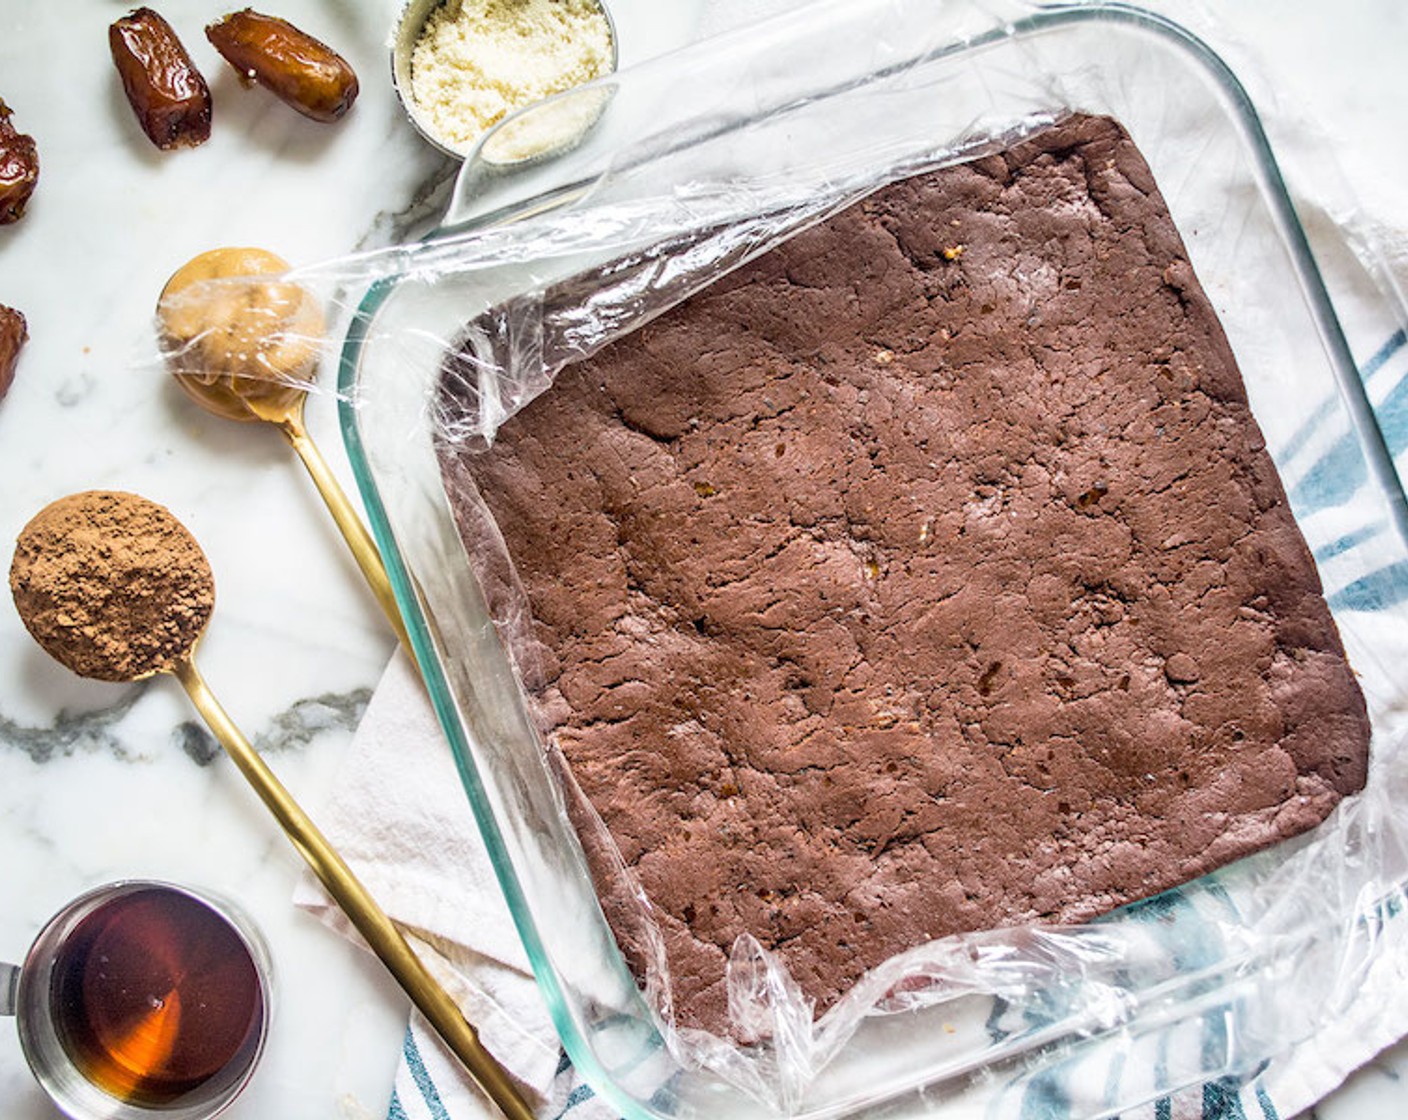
[(167, 92)]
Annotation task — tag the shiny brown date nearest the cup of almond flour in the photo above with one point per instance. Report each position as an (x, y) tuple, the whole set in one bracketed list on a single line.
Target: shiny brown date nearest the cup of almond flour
[(296, 68)]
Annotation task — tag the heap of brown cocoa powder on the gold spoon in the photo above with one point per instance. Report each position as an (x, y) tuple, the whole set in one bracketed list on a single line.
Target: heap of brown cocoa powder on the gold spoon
[(112, 585)]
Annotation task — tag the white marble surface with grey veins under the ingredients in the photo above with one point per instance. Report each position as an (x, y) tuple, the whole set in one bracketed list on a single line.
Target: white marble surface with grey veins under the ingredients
[(102, 783)]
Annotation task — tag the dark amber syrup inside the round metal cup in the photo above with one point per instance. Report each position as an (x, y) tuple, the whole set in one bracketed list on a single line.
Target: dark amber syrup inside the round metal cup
[(157, 998)]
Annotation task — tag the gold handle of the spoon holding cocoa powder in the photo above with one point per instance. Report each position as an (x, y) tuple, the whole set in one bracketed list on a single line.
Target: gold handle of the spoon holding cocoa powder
[(370, 919)]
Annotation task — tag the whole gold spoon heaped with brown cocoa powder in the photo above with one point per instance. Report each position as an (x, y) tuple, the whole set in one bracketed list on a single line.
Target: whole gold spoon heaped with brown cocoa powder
[(118, 590)]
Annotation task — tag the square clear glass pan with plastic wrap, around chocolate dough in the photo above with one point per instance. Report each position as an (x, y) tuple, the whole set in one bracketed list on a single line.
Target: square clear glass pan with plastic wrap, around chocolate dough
[(1209, 981)]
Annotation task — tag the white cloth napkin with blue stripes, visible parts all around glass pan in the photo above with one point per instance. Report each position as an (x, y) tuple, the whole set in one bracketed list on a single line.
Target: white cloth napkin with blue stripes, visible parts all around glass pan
[(401, 818)]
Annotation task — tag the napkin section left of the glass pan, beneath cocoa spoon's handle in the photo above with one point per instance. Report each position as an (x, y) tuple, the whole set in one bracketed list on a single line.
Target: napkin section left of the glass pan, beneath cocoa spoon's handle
[(401, 819)]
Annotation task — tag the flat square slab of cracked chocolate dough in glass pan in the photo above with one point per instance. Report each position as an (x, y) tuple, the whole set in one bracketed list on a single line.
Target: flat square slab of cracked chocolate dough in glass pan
[(927, 574)]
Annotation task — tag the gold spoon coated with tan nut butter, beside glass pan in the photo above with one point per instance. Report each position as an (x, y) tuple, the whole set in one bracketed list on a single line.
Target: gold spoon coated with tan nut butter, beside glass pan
[(244, 343)]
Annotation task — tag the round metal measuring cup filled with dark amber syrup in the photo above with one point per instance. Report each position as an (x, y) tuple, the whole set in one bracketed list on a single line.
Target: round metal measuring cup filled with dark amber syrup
[(143, 1000)]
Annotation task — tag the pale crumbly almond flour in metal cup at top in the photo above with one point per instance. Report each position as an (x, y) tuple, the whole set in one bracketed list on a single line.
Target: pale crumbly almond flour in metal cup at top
[(479, 60)]
